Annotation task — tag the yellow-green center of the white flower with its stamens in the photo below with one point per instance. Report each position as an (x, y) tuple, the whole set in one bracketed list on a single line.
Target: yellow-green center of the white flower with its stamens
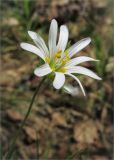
[(58, 61)]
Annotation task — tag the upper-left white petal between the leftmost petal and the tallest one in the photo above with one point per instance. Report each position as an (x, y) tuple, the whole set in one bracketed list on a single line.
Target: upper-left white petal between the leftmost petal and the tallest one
[(39, 42)]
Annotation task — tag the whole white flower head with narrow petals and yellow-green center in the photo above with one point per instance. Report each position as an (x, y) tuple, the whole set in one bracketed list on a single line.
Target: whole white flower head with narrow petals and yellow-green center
[(57, 58)]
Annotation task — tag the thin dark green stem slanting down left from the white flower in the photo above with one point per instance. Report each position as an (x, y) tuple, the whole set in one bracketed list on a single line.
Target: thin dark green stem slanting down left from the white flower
[(11, 149)]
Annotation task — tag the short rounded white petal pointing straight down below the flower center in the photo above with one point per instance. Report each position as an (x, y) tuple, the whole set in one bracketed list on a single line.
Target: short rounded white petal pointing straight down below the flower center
[(59, 80)]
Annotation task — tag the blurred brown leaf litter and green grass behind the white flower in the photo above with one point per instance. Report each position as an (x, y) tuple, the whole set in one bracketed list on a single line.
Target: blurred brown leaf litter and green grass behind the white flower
[(60, 126)]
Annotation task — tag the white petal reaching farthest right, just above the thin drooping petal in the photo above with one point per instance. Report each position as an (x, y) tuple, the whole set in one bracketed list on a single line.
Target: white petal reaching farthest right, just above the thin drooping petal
[(83, 70)]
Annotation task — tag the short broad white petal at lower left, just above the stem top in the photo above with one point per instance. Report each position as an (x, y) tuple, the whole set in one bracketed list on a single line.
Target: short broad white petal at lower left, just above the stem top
[(42, 70)]
